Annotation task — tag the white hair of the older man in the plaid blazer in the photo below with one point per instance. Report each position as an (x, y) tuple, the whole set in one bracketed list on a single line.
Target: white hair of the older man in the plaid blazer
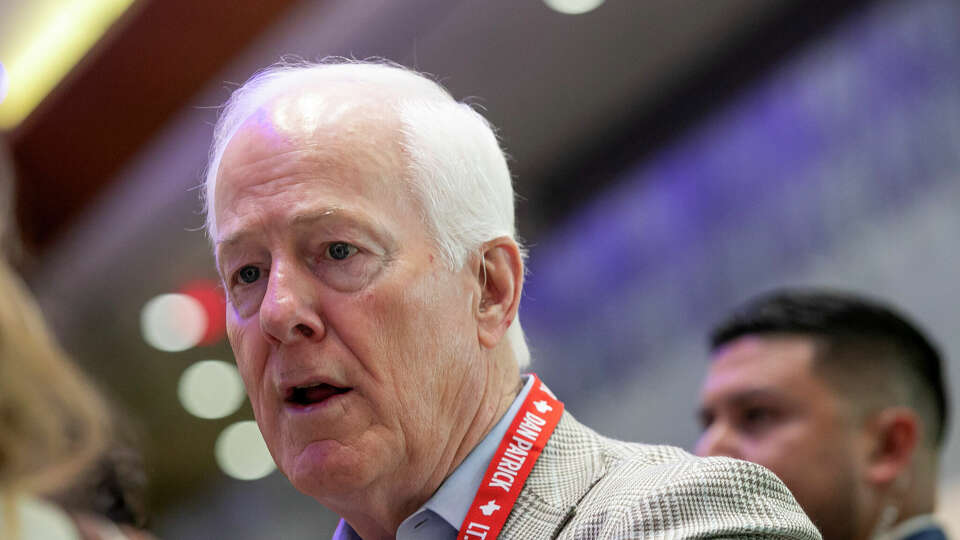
[(455, 167)]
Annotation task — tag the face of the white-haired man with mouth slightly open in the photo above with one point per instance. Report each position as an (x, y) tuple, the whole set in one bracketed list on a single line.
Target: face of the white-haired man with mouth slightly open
[(353, 339)]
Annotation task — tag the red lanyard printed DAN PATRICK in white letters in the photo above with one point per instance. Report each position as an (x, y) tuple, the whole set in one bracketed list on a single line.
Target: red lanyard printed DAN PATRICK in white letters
[(518, 451)]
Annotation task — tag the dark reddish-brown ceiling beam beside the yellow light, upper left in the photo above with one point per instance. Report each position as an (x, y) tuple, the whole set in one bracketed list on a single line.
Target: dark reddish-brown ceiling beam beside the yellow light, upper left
[(146, 67)]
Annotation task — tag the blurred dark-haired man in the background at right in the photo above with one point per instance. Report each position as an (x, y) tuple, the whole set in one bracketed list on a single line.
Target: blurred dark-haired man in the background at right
[(842, 398)]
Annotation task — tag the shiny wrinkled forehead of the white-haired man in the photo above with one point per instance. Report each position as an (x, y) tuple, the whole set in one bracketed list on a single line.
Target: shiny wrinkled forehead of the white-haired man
[(341, 151)]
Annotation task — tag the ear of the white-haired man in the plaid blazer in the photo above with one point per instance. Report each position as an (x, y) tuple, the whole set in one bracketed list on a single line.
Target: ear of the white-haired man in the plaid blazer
[(500, 274)]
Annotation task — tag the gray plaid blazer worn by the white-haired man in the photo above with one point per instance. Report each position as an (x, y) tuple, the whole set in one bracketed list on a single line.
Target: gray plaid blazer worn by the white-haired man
[(586, 486)]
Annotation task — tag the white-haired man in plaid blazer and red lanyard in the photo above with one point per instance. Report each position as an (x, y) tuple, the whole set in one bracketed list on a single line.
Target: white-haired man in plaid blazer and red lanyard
[(362, 222)]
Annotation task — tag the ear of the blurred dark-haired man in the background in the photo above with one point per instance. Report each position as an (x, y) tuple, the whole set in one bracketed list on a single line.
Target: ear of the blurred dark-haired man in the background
[(895, 435)]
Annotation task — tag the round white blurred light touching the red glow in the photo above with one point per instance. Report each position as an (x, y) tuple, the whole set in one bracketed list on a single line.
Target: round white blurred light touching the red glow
[(173, 322)]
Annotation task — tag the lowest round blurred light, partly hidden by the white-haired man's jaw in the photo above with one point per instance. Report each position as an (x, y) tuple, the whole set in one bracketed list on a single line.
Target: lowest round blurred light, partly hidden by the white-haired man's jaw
[(241, 452)]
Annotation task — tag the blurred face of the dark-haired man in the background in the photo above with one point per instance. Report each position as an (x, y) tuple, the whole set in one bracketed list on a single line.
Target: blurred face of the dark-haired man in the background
[(762, 402)]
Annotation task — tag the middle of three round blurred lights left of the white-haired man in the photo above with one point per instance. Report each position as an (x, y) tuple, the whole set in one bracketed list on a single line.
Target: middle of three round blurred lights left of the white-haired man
[(211, 389)]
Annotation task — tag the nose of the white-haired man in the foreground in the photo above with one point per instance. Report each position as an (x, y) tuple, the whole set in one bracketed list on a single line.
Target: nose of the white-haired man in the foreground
[(289, 310)]
